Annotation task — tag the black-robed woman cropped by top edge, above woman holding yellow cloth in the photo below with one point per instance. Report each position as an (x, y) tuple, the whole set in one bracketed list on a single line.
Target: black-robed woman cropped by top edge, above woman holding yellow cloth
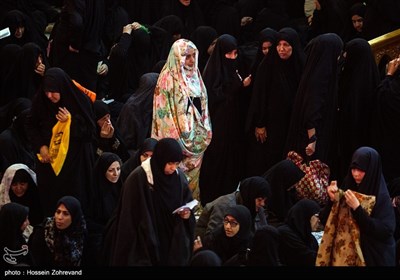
[(76, 37)]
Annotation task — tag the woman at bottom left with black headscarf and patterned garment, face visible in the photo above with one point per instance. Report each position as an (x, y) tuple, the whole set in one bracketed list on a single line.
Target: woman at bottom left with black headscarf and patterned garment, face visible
[(59, 240)]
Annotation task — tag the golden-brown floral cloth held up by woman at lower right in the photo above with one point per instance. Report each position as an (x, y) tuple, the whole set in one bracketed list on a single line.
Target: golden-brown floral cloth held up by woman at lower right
[(340, 244)]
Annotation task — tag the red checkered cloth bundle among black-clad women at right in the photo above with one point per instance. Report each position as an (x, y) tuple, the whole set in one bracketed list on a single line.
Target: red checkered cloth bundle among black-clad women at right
[(313, 185)]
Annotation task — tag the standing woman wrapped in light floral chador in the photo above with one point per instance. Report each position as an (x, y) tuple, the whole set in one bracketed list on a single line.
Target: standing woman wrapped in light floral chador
[(180, 108)]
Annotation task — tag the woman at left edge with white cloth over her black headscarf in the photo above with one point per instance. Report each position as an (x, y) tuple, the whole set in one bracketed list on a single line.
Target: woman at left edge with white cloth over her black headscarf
[(19, 185)]
